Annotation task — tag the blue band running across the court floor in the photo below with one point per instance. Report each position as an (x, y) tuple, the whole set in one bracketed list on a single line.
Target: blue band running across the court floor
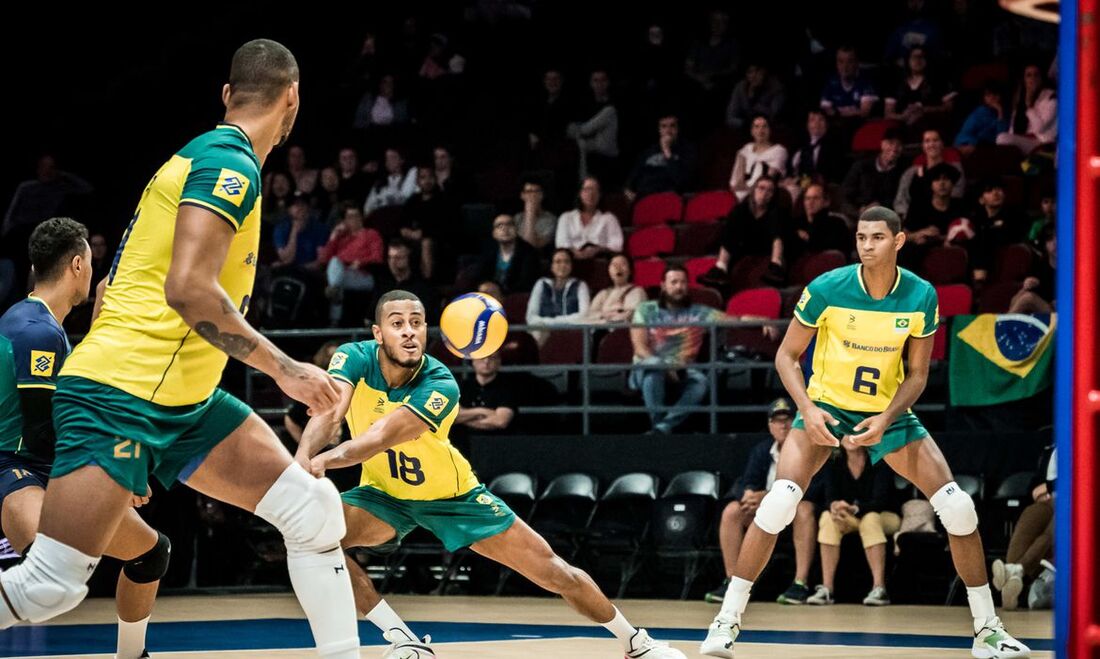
[(272, 634)]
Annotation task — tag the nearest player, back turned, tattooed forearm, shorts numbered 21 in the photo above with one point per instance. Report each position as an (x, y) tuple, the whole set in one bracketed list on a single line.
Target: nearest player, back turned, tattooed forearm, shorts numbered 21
[(140, 394)]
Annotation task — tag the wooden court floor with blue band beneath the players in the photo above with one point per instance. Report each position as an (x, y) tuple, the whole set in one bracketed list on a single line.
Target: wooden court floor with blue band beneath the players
[(523, 628)]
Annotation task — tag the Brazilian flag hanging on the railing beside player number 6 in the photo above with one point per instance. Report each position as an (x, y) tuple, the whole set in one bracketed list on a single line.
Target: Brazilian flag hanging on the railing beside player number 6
[(1000, 358)]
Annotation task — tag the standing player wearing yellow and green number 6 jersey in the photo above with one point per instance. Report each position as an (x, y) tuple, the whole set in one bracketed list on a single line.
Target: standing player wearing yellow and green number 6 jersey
[(864, 317)]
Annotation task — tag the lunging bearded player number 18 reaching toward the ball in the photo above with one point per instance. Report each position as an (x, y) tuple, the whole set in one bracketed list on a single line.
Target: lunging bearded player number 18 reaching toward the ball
[(400, 405)]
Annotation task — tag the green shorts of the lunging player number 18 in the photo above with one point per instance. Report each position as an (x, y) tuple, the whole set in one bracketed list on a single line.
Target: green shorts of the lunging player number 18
[(458, 522)]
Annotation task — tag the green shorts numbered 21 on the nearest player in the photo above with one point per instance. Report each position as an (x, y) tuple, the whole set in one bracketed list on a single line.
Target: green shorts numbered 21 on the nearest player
[(129, 437)]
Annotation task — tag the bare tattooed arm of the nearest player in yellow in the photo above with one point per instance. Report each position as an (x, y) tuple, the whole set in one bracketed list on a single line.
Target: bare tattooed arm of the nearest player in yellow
[(193, 291)]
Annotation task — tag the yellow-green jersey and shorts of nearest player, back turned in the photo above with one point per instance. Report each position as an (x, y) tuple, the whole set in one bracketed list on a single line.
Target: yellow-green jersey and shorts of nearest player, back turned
[(140, 392)]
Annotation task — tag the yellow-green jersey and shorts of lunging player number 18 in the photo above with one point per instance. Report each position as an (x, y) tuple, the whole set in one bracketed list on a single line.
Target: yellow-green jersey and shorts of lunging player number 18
[(424, 482)]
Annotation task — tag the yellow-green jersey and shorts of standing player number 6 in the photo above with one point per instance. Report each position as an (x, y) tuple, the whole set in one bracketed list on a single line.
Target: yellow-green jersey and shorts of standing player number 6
[(857, 363)]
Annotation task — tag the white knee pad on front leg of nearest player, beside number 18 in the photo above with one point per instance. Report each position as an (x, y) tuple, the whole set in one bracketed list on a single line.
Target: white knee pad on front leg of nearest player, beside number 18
[(306, 511)]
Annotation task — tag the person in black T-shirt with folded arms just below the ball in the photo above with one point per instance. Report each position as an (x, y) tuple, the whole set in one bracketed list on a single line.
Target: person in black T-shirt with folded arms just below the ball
[(489, 400)]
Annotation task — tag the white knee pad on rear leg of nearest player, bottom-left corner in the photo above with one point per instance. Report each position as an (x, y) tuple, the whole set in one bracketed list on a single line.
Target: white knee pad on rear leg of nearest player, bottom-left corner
[(51, 581)]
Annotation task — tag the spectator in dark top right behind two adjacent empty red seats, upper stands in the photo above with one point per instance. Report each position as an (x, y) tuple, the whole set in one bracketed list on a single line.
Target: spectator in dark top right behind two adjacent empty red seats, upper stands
[(666, 167)]
